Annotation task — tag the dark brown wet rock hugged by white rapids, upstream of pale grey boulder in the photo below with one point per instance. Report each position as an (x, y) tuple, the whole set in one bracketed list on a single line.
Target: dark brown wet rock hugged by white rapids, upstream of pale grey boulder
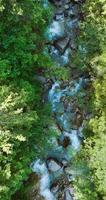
[(63, 141)]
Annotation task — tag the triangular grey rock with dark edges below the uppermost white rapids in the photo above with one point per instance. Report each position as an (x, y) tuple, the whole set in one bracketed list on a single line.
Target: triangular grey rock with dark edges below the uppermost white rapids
[(62, 44)]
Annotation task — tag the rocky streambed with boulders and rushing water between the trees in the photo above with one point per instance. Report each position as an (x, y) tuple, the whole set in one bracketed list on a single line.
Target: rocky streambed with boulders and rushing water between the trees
[(55, 176)]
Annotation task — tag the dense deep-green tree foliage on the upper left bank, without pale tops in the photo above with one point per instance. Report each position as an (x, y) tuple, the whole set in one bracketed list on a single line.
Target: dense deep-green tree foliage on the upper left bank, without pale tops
[(22, 39)]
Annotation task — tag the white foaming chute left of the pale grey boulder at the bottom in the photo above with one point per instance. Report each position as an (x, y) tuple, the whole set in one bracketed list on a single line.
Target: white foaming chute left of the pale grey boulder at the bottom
[(41, 169)]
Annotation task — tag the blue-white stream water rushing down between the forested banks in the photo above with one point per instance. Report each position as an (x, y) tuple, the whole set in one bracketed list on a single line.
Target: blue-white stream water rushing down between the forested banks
[(63, 26)]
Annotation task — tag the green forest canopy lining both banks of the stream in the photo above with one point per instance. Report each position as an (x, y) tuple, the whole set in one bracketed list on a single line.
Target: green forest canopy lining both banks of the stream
[(24, 117)]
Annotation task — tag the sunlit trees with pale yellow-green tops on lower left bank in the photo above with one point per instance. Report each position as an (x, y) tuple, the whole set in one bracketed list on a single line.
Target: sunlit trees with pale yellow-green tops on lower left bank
[(21, 128)]
